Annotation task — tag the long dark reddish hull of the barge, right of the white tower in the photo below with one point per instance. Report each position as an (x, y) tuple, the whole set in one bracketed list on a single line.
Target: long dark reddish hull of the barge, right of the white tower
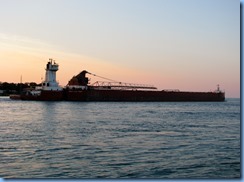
[(142, 96)]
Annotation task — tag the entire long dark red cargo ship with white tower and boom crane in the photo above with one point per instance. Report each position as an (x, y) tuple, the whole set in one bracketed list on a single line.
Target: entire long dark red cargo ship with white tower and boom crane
[(80, 89)]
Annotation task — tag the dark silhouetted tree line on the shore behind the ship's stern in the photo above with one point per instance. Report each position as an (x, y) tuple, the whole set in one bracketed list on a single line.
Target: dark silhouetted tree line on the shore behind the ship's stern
[(15, 88)]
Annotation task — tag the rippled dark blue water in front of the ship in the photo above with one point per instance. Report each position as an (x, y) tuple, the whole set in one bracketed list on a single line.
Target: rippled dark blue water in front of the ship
[(119, 140)]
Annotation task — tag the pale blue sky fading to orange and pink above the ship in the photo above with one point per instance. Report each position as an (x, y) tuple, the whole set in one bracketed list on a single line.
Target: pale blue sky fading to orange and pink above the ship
[(190, 45)]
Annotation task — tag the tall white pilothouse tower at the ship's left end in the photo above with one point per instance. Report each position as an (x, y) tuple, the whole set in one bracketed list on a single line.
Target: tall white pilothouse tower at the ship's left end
[(50, 82)]
